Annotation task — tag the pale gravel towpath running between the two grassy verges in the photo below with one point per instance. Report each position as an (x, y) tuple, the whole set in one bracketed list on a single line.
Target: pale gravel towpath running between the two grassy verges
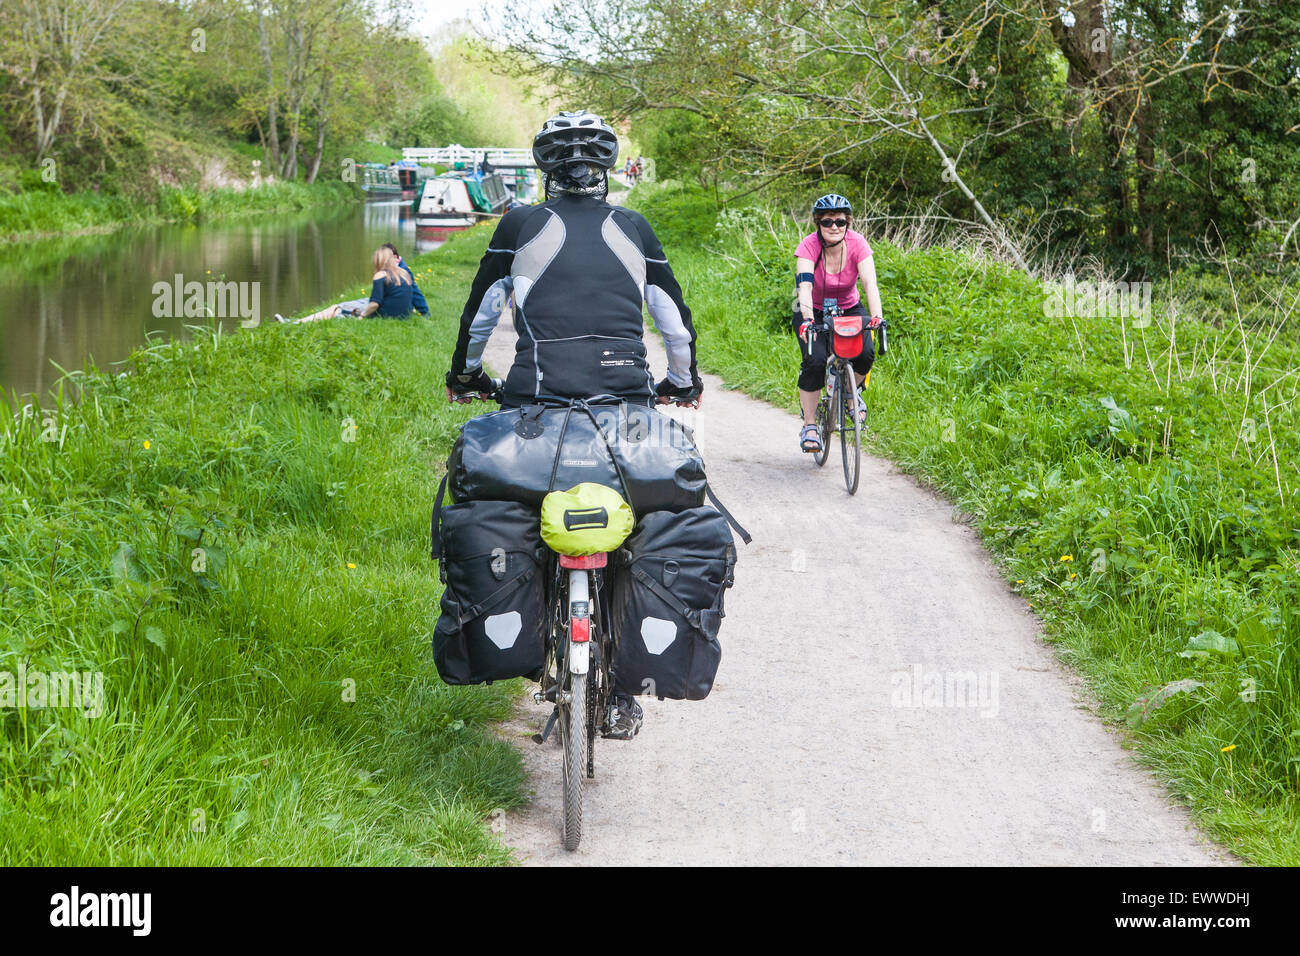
[(824, 741)]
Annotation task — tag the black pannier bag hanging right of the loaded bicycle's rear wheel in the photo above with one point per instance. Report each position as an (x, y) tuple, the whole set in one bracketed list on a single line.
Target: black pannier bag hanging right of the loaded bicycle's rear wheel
[(668, 604)]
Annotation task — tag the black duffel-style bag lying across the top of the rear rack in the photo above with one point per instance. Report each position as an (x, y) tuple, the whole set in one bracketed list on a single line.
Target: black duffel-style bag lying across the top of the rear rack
[(518, 455)]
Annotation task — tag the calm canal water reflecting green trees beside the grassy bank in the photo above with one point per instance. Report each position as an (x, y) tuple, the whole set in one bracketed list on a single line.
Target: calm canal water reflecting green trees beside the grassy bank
[(94, 299)]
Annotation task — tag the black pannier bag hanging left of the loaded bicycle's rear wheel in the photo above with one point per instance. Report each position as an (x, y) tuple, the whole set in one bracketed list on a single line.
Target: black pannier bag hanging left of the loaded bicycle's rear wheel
[(493, 622)]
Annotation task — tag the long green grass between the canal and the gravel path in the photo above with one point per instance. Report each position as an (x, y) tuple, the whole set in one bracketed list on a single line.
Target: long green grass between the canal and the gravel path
[(252, 578)]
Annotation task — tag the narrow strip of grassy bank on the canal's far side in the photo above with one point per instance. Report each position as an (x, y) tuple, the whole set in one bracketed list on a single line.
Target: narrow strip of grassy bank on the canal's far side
[(37, 214)]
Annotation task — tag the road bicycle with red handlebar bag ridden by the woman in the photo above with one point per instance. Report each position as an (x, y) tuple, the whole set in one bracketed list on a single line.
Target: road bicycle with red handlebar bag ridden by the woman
[(838, 408)]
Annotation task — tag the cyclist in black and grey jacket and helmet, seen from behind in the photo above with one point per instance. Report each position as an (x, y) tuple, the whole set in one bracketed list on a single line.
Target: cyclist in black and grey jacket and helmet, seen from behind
[(578, 271)]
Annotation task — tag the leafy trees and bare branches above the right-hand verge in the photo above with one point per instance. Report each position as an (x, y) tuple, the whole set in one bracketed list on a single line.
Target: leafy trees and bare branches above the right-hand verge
[(1112, 113)]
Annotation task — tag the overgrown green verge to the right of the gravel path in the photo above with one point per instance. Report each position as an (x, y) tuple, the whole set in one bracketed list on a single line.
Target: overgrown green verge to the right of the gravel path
[(1136, 478)]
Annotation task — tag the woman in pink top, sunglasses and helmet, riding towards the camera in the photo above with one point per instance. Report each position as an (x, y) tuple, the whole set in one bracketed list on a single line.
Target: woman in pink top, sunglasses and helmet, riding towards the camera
[(829, 263)]
